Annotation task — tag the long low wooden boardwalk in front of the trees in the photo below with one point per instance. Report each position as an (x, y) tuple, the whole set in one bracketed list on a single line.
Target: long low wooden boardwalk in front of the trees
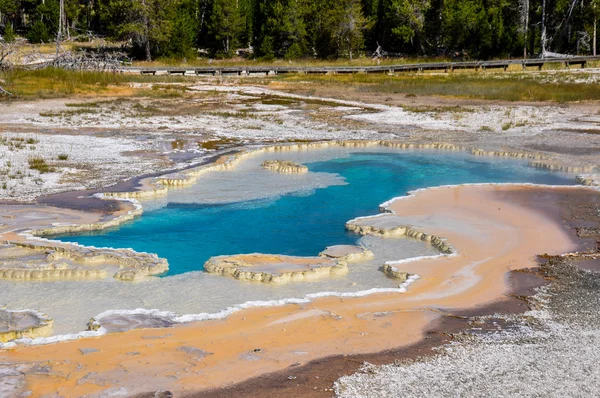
[(390, 69)]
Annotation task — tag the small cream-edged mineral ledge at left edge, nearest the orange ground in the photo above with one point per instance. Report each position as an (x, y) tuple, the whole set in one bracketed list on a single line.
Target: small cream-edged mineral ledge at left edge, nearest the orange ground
[(19, 324)]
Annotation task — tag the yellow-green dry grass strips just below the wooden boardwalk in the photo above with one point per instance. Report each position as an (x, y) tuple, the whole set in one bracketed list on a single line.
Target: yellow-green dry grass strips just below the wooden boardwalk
[(516, 86)]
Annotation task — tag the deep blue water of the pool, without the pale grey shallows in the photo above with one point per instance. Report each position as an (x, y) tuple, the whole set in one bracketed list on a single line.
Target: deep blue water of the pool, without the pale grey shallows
[(187, 235)]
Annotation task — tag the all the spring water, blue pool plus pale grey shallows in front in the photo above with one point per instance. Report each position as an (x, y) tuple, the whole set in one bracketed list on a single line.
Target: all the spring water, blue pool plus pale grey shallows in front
[(254, 210)]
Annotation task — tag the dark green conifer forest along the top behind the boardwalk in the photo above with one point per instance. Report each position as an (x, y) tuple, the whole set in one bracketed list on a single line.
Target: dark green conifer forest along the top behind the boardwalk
[(292, 29)]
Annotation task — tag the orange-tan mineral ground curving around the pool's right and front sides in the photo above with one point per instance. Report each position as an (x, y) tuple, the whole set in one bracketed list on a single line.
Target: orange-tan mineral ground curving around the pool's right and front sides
[(492, 235)]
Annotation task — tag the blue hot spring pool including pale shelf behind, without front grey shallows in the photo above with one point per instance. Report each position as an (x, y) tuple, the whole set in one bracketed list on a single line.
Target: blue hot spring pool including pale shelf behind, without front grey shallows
[(251, 210)]
